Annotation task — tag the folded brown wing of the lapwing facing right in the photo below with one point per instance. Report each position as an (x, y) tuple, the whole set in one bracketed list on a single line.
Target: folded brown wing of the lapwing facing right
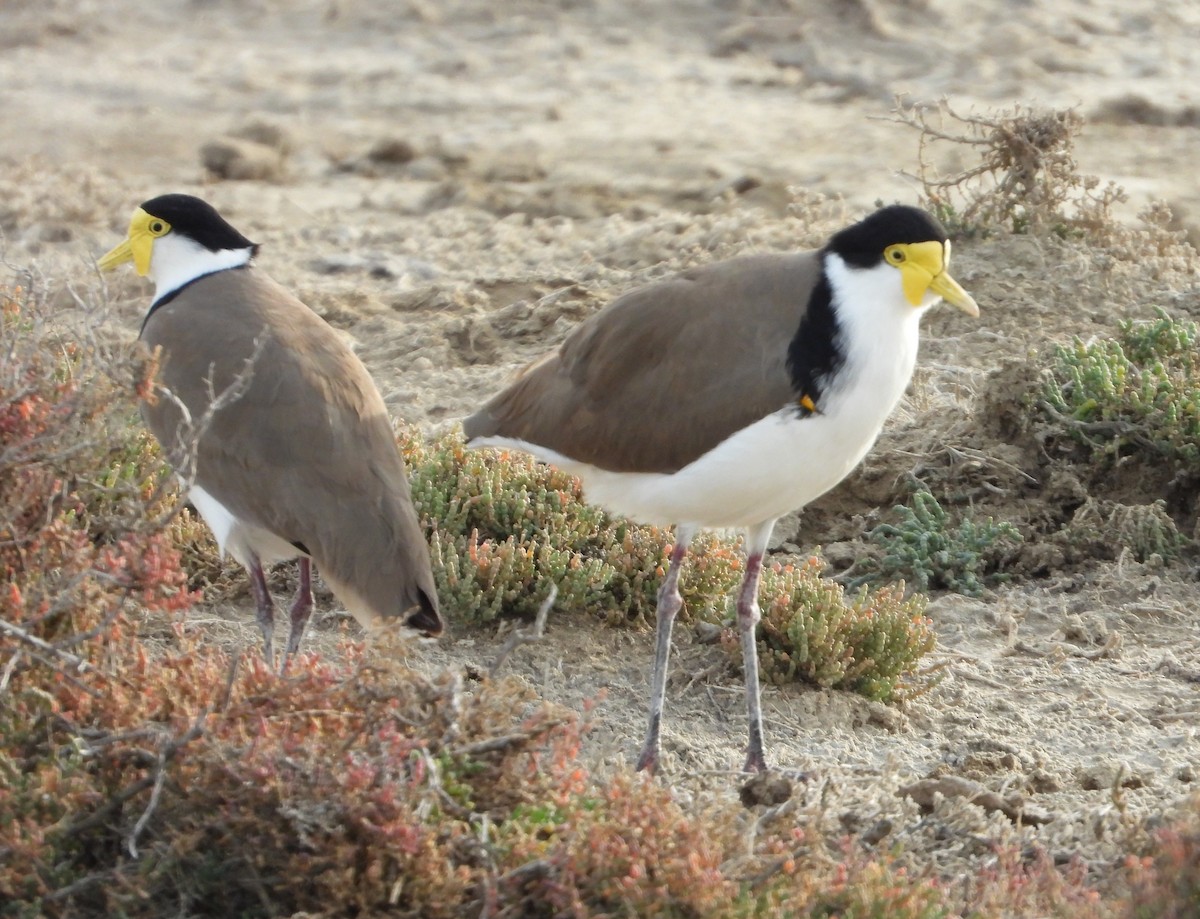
[(667, 373)]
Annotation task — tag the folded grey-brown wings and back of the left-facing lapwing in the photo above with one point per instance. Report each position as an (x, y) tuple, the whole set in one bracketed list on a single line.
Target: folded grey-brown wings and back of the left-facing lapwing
[(308, 452)]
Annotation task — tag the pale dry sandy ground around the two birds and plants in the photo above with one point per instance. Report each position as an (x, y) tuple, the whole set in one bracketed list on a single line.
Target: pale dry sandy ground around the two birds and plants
[(464, 182)]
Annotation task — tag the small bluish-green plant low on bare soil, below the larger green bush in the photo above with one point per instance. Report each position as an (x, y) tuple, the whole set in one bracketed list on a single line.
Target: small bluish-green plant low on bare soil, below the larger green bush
[(932, 551)]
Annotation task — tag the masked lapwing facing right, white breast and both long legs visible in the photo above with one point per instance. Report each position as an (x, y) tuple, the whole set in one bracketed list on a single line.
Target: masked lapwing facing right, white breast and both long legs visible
[(730, 395)]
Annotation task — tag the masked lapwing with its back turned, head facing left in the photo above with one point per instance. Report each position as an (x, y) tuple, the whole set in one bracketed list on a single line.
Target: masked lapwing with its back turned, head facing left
[(278, 428)]
